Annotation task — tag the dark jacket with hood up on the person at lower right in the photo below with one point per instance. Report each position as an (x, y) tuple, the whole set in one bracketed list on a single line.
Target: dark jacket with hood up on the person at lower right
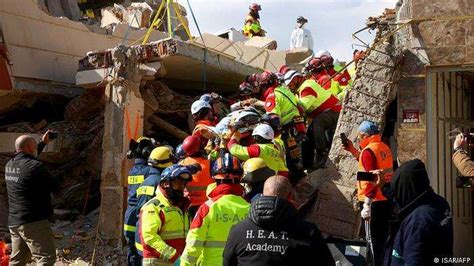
[(423, 230)]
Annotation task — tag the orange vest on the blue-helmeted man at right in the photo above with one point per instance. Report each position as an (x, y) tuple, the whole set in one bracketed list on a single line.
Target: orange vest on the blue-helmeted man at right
[(384, 161)]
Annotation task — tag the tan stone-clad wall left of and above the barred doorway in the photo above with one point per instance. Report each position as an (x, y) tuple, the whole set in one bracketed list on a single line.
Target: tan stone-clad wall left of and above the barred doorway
[(441, 37)]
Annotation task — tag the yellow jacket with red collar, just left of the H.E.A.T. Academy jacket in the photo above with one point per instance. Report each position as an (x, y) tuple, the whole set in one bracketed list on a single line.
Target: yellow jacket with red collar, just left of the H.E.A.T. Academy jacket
[(210, 227)]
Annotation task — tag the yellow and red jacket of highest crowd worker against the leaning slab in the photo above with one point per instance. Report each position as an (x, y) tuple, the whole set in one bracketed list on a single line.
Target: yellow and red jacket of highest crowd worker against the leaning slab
[(315, 99)]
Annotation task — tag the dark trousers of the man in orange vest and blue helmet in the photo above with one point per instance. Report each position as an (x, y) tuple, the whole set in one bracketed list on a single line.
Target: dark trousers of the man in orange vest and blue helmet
[(380, 215)]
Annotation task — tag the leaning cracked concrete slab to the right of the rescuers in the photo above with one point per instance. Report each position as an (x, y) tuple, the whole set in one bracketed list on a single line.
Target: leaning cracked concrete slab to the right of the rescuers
[(372, 92)]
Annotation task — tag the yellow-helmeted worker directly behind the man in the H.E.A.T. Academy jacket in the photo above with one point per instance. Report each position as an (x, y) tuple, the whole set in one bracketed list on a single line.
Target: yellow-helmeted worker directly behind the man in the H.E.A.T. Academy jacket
[(256, 172)]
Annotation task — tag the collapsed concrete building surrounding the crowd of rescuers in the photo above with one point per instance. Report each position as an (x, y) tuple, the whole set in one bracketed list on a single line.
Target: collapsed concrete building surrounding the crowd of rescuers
[(100, 89)]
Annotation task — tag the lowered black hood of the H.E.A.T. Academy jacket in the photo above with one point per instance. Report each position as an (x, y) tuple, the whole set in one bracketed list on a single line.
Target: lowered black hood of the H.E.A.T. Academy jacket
[(272, 212)]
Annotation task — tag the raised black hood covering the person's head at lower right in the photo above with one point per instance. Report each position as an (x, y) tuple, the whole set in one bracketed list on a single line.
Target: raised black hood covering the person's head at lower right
[(409, 183)]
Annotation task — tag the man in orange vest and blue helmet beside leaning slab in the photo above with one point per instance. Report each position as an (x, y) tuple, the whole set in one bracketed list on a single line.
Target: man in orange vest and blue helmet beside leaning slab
[(375, 155)]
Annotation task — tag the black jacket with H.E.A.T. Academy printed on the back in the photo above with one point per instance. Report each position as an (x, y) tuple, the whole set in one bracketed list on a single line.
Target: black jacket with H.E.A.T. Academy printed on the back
[(273, 235)]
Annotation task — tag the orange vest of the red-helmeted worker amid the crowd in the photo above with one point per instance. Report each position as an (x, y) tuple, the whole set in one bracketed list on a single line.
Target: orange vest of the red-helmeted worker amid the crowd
[(197, 187)]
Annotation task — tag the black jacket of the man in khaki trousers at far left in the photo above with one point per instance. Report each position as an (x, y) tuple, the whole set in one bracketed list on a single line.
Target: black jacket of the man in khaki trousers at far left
[(29, 187)]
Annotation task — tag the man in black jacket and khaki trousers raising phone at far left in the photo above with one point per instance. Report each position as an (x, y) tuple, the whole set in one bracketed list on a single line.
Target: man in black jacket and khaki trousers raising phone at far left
[(29, 187)]
